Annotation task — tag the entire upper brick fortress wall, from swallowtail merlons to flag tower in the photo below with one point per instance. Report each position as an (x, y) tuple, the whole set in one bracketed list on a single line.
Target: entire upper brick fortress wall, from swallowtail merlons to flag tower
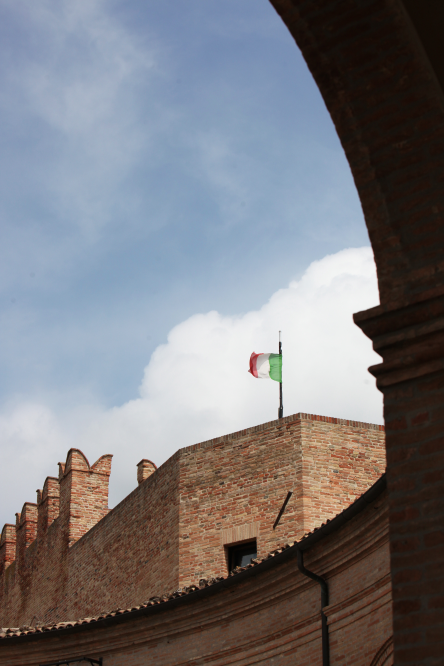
[(76, 558)]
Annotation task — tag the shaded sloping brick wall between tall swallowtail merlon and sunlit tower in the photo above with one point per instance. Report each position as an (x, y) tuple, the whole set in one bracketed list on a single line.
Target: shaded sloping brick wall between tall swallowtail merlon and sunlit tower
[(132, 553)]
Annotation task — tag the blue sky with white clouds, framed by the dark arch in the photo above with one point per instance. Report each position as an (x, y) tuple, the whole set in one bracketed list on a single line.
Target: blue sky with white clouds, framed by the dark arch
[(173, 193)]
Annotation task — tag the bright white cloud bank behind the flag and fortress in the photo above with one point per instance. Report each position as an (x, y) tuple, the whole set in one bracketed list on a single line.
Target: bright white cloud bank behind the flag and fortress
[(196, 386)]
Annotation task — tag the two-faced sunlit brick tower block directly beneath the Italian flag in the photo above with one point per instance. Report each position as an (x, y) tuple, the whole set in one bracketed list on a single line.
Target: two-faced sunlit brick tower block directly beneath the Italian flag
[(233, 488)]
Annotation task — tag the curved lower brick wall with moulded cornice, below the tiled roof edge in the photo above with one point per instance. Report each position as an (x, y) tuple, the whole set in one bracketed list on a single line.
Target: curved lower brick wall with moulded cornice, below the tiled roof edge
[(269, 614)]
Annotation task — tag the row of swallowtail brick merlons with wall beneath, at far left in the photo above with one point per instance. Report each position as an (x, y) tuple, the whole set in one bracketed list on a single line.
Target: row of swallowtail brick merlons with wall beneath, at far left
[(33, 555)]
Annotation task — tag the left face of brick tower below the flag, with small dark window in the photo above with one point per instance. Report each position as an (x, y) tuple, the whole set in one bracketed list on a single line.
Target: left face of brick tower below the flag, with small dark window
[(232, 489)]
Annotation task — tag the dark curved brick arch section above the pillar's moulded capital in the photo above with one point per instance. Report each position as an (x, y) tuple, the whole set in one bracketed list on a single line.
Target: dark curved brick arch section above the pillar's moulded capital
[(388, 111)]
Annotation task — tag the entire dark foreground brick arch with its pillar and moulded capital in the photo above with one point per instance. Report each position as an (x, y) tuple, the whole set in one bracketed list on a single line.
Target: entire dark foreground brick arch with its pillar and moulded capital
[(379, 65)]
